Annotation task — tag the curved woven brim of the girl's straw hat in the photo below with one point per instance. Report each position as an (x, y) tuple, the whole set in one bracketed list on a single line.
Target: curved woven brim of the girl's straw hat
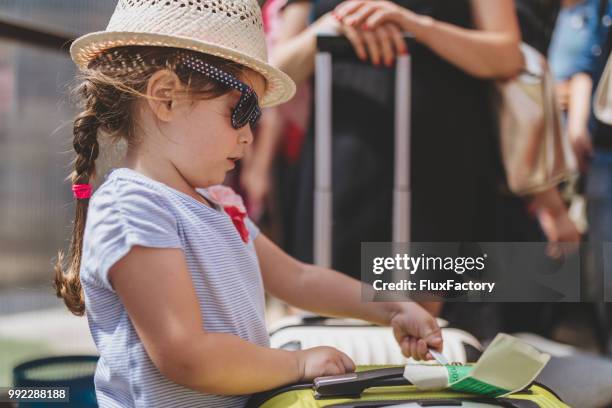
[(280, 88)]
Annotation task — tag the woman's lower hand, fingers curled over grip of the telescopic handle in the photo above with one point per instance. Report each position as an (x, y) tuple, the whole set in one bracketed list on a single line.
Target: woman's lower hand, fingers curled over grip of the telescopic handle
[(381, 44)]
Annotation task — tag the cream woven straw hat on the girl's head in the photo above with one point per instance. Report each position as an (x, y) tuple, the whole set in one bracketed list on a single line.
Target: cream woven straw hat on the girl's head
[(230, 29)]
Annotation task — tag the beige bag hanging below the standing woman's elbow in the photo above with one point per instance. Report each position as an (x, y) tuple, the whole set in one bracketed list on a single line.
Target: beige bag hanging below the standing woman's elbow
[(535, 150)]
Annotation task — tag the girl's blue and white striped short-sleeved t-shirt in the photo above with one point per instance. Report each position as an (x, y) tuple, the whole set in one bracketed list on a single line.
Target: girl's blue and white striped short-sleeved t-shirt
[(130, 209)]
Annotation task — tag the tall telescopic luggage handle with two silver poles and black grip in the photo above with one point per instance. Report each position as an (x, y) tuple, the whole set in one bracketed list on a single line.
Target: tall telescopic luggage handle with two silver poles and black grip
[(332, 44)]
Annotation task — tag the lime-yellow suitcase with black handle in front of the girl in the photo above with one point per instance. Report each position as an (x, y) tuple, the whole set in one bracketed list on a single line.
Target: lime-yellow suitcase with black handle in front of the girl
[(386, 387)]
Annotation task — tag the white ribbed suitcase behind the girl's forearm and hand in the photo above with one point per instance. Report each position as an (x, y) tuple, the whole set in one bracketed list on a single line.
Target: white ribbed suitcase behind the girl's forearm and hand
[(364, 343)]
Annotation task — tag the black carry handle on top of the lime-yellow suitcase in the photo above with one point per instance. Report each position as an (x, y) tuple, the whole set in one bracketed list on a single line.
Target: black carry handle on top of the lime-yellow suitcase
[(353, 384)]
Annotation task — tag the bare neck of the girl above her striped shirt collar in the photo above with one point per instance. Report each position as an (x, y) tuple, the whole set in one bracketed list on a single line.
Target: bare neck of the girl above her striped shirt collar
[(163, 171)]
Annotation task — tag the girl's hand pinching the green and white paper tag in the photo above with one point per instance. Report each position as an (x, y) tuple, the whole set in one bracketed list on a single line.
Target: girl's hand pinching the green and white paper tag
[(416, 331)]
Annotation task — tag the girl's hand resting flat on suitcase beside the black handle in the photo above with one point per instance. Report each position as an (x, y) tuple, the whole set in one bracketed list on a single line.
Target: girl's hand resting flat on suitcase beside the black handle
[(322, 361)]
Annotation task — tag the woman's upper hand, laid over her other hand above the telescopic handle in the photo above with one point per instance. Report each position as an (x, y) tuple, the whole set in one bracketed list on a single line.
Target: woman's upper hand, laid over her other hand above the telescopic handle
[(370, 14)]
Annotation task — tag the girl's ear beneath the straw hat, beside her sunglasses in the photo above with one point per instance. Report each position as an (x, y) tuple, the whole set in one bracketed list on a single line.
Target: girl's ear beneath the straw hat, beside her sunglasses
[(162, 89)]
